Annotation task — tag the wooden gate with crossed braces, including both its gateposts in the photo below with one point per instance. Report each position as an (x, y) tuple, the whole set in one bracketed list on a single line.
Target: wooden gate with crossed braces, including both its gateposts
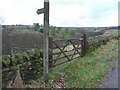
[(62, 51)]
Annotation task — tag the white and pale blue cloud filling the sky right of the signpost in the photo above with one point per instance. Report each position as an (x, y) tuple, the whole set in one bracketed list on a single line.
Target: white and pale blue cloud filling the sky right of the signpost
[(85, 13)]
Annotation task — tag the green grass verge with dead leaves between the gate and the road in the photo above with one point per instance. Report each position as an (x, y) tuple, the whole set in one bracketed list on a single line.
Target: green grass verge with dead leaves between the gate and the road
[(86, 72)]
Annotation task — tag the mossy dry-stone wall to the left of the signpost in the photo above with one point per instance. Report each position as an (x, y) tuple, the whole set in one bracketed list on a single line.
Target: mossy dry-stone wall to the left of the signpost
[(30, 63)]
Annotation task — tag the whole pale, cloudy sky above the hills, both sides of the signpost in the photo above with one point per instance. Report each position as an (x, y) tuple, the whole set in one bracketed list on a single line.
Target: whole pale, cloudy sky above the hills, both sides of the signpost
[(63, 13)]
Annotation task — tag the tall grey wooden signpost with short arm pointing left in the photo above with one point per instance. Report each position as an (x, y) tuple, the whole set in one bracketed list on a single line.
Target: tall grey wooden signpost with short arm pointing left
[(45, 10)]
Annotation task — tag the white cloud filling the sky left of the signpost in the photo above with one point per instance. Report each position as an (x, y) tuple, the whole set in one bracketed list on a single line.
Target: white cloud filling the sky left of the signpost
[(23, 12)]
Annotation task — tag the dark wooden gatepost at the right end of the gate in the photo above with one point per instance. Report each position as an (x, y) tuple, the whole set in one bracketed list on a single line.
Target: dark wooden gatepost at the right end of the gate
[(84, 45)]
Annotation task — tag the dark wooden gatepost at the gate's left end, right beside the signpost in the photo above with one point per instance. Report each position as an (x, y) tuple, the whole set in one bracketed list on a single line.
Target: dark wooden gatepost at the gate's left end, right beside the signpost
[(50, 51)]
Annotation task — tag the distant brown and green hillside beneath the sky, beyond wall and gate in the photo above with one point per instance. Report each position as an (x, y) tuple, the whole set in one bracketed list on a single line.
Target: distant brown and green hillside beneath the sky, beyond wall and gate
[(28, 37)]
